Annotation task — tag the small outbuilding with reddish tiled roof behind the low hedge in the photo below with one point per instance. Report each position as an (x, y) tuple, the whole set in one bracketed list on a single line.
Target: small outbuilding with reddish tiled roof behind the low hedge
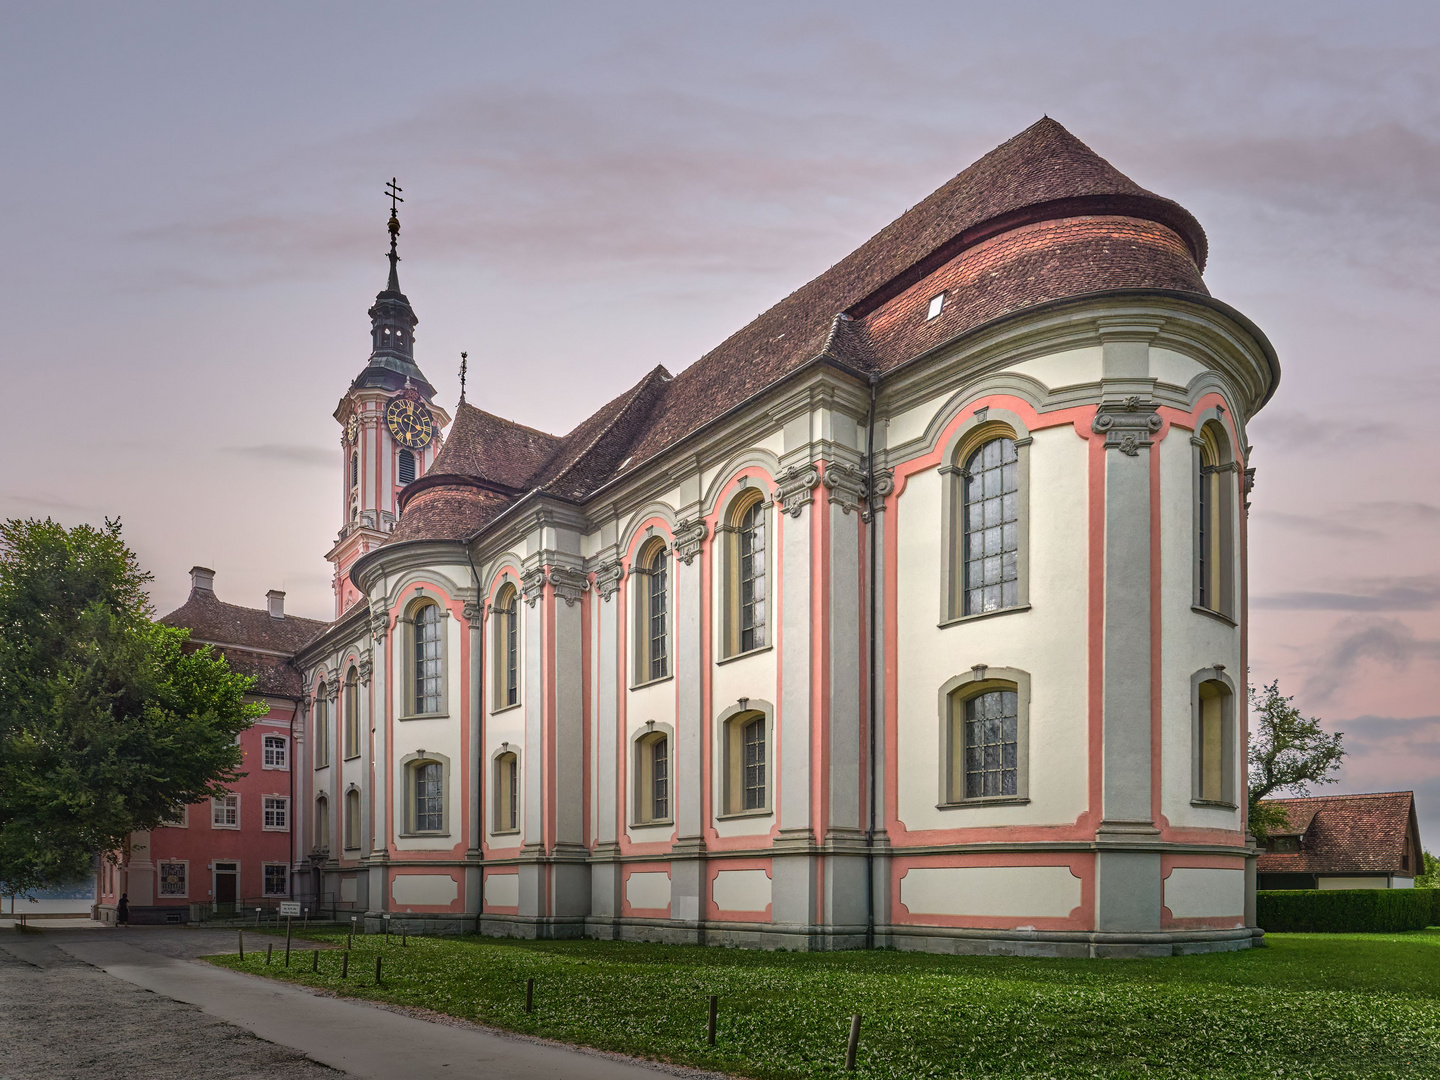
[(1344, 842)]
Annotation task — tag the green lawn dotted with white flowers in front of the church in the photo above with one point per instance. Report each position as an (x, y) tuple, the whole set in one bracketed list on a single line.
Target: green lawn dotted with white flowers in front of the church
[(1310, 1006)]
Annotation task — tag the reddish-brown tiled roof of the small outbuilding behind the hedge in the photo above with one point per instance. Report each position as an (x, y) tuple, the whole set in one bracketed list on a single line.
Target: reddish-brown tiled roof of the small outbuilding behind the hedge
[(1346, 834)]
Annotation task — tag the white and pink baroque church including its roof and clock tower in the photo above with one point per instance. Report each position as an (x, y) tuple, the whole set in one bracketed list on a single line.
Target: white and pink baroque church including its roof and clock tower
[(912, 616)]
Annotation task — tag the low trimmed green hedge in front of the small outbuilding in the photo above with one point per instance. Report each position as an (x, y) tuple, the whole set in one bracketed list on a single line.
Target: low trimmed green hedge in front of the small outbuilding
[(1346, 911)]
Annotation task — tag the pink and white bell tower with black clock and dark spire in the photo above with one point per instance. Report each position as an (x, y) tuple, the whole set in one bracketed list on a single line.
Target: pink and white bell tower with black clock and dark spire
[(391, 427)]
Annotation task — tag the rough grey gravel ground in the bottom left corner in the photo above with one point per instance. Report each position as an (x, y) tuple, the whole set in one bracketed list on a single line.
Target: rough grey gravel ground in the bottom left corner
[(66, 1020)]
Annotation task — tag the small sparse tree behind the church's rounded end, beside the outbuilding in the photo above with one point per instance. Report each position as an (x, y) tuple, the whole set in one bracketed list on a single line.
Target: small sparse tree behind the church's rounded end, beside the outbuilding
[(1288, 754)]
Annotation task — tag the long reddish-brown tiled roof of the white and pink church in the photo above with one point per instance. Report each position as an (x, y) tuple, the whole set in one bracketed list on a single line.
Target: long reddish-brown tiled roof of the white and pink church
[(1040, 218)]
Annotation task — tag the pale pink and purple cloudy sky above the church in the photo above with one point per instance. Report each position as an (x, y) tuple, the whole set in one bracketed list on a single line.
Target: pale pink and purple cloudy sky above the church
[(194, 231)]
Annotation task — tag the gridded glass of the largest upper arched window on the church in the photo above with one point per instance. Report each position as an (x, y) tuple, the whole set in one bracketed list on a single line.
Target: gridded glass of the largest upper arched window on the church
[(991, 545)]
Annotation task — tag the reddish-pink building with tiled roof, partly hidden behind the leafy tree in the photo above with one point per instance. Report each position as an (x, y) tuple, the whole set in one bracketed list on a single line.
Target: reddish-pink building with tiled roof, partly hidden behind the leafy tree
[(221, 855)]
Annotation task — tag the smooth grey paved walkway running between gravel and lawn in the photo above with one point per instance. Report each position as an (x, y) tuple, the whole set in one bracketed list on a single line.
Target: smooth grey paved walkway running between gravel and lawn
[(359, 1039)]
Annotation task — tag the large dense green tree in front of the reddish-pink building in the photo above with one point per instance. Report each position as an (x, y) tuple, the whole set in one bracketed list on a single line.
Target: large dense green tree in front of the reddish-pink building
[(109, 725)]
